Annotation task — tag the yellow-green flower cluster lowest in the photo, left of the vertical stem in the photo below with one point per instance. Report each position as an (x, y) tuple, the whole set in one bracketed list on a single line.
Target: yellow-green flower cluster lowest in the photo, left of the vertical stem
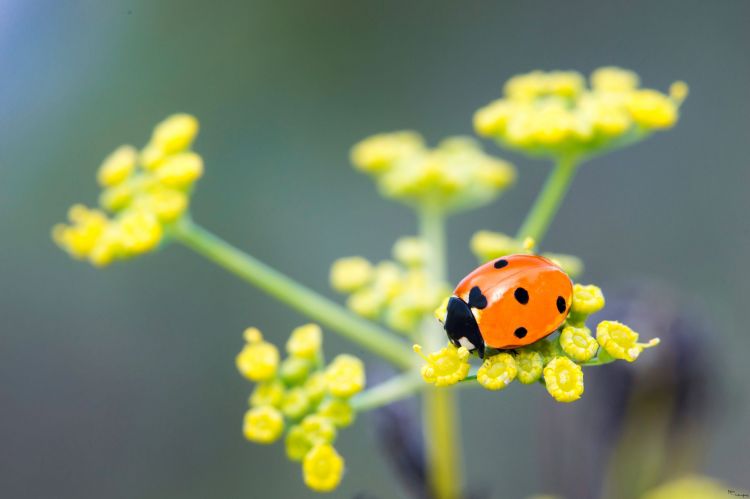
[(302, 398)]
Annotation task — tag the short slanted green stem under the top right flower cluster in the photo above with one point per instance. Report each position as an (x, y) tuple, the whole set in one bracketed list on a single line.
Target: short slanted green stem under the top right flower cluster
[(548, 202)]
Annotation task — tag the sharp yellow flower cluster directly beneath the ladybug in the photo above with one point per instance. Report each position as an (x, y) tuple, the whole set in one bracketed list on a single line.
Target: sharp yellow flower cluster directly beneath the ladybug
[(555, 360)]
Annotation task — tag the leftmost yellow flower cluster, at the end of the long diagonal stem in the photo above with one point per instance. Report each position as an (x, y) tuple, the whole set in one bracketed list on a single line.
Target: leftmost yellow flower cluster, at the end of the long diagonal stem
[(142, 191)]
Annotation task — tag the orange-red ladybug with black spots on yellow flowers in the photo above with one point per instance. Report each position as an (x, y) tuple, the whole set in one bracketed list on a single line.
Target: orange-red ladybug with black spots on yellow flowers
[(508, 303)]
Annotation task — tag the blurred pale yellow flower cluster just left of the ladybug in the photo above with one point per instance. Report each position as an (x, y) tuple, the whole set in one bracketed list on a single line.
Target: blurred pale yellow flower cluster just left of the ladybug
[(395, 292)]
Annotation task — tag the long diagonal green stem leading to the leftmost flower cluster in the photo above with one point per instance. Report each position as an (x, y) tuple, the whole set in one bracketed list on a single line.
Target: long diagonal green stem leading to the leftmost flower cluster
[(304, 300)]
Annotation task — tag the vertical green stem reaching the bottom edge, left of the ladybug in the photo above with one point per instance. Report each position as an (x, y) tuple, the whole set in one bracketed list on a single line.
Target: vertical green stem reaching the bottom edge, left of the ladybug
[(439, 412)]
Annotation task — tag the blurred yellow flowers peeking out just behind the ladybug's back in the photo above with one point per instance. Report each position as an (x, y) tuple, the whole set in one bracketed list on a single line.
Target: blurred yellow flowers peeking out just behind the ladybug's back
[(487, 245)]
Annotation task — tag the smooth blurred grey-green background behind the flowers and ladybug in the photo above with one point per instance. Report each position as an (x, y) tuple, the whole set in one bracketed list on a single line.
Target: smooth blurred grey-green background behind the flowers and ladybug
[(121, 382)]
